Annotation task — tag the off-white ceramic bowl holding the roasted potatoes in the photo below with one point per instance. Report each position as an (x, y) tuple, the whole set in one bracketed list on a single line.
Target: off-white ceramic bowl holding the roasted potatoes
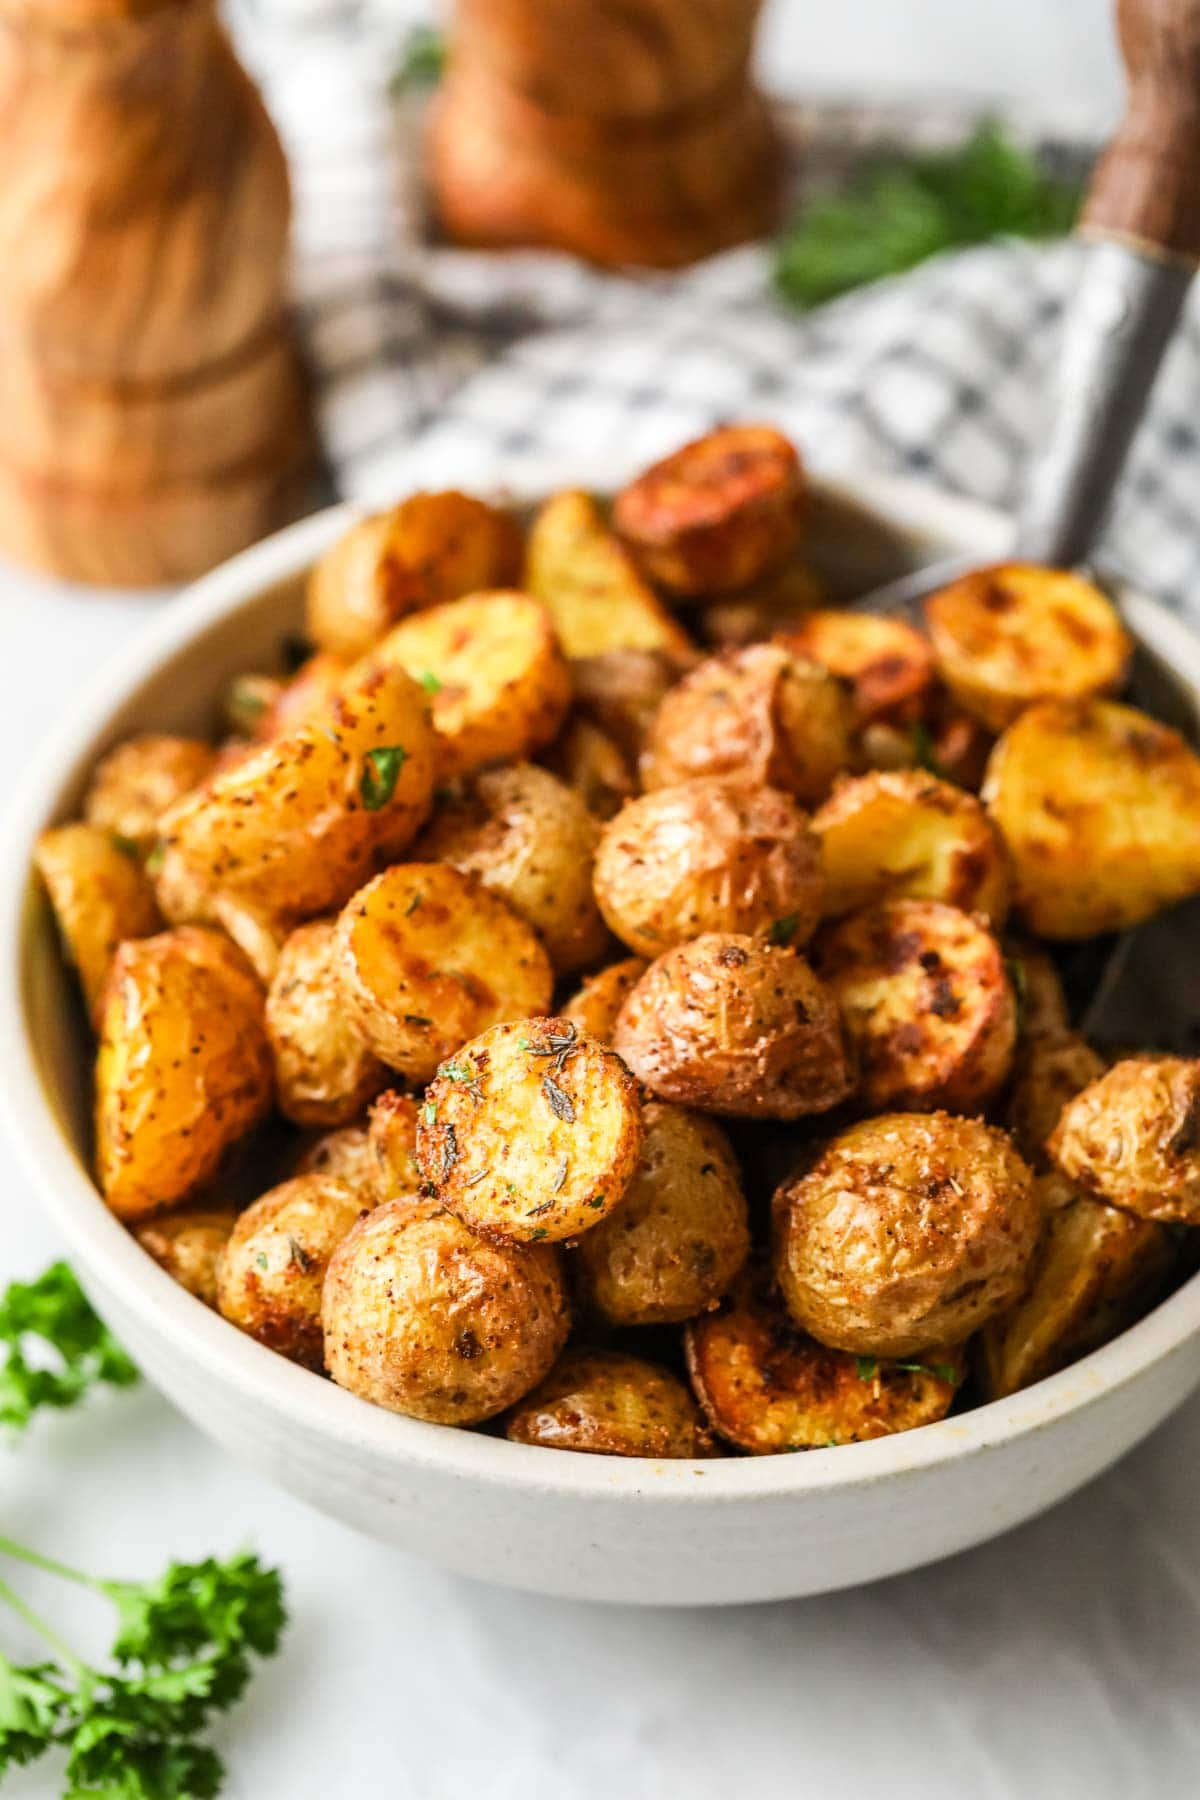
[(593, 1527)]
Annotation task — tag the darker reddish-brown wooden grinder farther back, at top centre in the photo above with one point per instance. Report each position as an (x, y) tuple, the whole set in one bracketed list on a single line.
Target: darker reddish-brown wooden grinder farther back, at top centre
[(625, 134)]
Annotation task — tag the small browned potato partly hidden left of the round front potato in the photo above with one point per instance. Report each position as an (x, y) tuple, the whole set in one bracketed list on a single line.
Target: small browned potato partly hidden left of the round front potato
[(271, 1273)]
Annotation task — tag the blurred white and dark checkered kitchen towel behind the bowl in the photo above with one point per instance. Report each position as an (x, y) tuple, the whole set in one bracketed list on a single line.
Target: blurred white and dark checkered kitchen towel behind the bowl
[(445, 366)]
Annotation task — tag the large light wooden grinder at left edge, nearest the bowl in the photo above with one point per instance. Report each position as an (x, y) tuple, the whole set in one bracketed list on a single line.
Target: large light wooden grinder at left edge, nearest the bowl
[(154, 415)]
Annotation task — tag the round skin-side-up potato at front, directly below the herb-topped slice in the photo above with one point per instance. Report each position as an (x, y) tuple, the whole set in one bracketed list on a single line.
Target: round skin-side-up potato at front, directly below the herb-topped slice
[(427, 1320)]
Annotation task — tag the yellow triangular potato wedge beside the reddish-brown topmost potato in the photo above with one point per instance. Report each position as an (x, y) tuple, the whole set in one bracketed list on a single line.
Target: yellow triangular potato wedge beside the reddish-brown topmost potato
[(589, 586)]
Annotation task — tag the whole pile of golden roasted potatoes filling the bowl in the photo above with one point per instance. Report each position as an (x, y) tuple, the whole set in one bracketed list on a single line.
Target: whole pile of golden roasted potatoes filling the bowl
[(580, 994)]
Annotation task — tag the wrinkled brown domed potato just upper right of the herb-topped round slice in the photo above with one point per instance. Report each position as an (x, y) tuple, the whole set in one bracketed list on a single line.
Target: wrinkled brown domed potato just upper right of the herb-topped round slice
[(737, 1025)]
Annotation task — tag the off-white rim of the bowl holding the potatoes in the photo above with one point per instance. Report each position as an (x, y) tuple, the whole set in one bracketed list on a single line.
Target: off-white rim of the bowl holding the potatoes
[(314, 1407)]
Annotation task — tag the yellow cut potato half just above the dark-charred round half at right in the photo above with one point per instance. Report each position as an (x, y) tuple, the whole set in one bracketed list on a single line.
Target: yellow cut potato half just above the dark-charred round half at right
[(906, 836)]
